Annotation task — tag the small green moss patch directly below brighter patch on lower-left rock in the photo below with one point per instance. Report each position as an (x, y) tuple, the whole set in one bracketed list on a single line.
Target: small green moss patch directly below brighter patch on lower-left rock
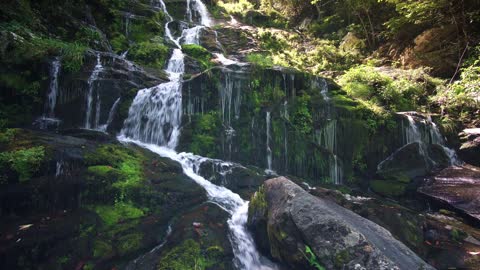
[(111, 215)]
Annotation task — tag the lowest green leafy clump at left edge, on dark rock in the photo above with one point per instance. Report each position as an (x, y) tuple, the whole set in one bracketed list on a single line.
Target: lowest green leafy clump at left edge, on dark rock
[(25, 162)]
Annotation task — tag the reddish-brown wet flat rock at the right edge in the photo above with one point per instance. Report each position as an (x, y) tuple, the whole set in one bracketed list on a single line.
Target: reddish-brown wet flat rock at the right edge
[(458, 188)]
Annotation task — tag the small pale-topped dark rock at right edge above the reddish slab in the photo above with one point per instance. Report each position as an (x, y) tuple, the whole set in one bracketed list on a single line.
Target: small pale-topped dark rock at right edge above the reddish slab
[(470, 149)]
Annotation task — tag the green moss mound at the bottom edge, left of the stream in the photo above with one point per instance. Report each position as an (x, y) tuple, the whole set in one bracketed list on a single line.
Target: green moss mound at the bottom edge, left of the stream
[(188, 255)]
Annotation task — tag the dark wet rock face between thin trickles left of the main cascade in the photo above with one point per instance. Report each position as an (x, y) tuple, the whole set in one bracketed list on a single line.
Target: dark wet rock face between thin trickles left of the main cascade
[(117, 78)]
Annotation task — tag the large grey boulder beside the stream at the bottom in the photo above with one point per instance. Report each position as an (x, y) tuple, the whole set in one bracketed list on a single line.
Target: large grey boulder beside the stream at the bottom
[(307, 232)]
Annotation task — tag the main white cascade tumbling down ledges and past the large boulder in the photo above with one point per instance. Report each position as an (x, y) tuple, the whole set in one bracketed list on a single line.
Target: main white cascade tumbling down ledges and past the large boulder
[(154, 123)]
